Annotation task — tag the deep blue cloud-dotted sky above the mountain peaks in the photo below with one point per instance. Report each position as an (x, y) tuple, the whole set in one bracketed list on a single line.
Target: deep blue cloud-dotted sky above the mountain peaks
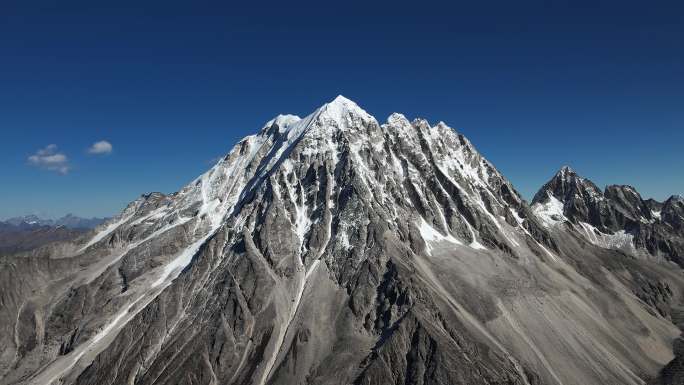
[(534, 85)]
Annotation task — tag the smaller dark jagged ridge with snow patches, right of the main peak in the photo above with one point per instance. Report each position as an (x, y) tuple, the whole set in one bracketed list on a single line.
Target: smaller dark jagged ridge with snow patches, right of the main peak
[(617, 217)]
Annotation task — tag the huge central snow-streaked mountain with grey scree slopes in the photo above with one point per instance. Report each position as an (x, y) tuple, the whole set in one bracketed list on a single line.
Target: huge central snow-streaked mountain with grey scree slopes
[(337, 250)]
